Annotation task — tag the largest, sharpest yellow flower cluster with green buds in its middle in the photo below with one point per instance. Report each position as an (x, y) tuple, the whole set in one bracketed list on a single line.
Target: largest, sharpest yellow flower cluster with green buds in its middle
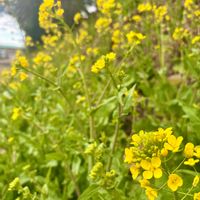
[(147, 151)]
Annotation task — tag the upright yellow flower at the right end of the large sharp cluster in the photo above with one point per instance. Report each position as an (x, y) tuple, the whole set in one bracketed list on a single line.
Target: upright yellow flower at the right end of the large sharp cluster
[(173, 143)]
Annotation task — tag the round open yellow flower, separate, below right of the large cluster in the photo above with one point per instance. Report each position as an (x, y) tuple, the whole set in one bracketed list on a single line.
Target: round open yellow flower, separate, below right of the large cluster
[(174, 181)]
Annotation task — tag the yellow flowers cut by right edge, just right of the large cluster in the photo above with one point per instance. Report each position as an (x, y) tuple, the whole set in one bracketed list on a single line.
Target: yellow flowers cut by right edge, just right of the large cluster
[(191, 151)]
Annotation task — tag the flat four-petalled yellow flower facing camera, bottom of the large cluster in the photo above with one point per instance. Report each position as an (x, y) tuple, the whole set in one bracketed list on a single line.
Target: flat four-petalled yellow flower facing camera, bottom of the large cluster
[(151, 168)]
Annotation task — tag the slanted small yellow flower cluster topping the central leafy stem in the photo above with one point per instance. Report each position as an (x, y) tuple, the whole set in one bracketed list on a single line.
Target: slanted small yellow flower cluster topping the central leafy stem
[(101, 62)]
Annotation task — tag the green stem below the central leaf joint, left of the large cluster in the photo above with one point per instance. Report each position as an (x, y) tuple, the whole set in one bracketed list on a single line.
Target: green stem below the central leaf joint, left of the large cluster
[(114, 142)]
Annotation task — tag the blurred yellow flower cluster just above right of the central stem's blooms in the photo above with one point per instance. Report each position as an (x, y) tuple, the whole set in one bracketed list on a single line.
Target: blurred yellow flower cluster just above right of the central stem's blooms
[(134, 38)]
